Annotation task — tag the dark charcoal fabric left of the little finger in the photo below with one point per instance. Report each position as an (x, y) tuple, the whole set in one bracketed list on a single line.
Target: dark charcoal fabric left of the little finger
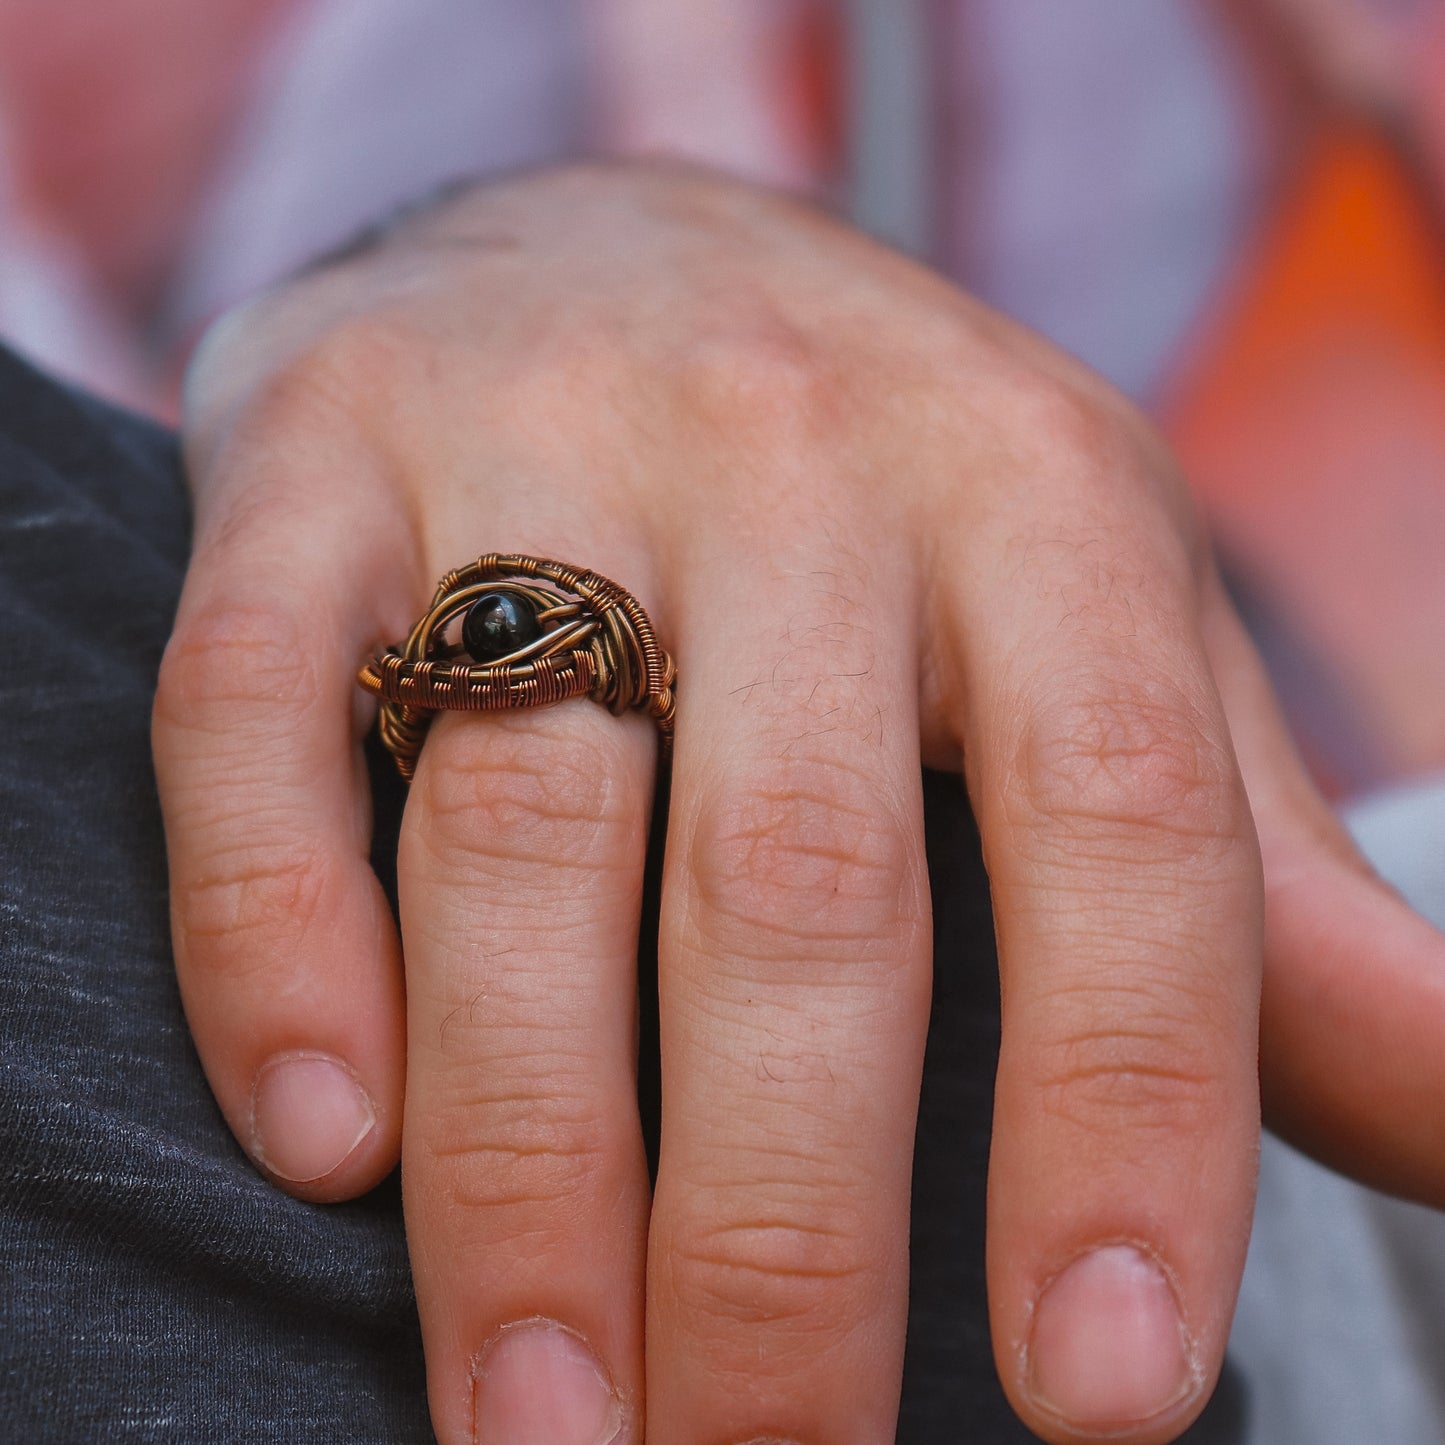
[(152, 1285)]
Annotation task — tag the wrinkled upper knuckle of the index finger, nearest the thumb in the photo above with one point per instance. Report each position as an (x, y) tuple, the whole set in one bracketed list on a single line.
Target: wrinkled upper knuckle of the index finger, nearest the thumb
[(1126, 772)]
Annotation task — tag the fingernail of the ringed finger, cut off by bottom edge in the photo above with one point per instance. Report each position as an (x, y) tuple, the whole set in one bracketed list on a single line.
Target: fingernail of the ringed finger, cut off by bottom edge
[(538, 1384)]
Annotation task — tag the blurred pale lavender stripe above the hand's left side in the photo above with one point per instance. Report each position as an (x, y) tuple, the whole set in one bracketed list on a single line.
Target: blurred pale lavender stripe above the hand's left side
[(366, 105)]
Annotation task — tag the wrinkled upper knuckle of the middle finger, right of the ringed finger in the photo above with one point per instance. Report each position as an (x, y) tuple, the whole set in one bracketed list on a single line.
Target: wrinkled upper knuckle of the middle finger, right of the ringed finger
[(810, 860)]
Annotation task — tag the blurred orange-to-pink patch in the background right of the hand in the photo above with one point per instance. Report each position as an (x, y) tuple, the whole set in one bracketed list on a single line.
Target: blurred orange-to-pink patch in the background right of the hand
[(1311, 420)]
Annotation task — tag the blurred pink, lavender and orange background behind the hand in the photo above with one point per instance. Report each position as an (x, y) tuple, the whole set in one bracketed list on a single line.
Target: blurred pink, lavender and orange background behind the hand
[(1233, 209)]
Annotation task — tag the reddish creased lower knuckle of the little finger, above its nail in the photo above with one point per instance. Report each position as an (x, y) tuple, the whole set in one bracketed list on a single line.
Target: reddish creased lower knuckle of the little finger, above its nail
[(277, 891)]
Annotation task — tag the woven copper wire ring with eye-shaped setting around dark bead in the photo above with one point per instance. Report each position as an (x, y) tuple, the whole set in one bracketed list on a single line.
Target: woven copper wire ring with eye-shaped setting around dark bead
[(593, 639)]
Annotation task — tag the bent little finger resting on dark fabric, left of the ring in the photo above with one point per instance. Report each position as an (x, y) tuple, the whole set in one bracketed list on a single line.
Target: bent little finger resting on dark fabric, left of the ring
[(285, 949)]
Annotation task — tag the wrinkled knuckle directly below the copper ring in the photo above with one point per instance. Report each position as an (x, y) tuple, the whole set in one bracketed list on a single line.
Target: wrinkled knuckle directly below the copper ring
[(530, 793)]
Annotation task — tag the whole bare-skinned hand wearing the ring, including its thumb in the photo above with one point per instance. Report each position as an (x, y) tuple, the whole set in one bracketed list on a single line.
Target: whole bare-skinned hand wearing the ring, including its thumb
[(876, 525)]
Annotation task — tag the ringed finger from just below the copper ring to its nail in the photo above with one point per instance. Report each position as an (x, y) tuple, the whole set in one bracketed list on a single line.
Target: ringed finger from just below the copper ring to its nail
[(525, 1181)]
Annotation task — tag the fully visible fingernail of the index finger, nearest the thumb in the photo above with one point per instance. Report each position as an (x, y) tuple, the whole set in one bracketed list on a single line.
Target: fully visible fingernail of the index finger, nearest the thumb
[(1109, 1349)]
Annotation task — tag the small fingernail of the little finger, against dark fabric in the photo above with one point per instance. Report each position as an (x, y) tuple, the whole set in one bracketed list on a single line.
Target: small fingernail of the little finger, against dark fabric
[(309, 1115)]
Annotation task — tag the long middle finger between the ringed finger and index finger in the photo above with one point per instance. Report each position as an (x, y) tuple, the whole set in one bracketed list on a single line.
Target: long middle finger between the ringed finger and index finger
[(794, 992)]
